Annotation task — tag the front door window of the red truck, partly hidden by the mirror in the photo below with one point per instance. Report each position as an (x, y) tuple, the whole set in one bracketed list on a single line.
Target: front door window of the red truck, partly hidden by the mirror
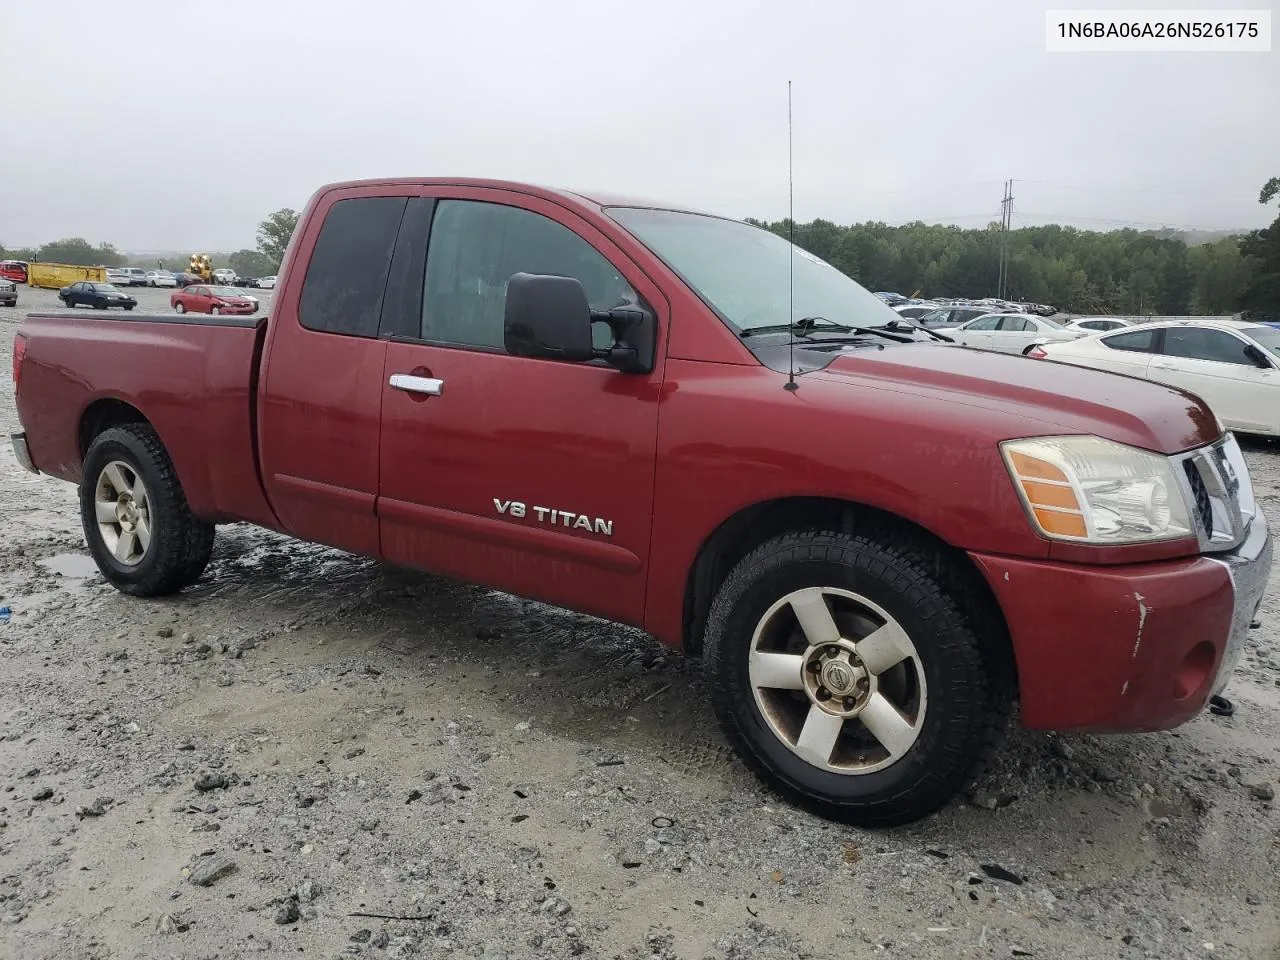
[(477, 248)]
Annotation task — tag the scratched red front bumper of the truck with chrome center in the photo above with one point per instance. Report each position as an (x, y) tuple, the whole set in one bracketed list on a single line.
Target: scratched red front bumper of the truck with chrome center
[(1131, 648)]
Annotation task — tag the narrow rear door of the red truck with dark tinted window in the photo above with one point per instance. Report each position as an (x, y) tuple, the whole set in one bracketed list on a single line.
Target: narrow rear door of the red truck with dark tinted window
[(321, 396)]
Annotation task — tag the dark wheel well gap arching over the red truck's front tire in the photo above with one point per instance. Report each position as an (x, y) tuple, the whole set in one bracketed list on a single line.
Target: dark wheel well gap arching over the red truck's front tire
[(752, 527)]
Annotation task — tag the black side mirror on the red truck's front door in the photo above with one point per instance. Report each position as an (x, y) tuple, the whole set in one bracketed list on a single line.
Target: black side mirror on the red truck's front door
[(551, 318)]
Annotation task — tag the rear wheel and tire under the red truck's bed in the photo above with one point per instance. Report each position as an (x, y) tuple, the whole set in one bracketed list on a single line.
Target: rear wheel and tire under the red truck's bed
[(140, 531)]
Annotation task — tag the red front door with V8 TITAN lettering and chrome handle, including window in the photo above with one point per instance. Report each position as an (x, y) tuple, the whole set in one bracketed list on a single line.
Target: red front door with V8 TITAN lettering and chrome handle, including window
[(528, 476)]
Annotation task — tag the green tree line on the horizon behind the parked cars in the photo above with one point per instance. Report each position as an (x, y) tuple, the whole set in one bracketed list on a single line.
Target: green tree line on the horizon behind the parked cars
[(1080, 272)]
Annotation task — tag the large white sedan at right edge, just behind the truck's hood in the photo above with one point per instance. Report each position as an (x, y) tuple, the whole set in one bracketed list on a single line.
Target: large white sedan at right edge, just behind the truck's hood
[(1235, 367)]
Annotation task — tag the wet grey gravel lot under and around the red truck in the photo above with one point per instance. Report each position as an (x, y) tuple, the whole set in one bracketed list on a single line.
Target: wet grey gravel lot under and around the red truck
[(314, 755)]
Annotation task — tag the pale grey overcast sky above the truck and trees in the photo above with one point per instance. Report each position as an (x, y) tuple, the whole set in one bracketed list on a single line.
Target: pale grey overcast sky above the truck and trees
[(140, 125)]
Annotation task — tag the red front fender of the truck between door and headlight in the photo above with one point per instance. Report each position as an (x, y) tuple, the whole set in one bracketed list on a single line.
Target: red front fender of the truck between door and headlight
[(732, 437)]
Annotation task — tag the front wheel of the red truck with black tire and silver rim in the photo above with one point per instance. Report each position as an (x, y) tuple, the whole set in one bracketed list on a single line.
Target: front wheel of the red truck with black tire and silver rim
[(851, 679)]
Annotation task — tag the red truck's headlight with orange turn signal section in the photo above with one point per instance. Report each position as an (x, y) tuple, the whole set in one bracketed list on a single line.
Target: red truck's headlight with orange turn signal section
[(1095, 491)]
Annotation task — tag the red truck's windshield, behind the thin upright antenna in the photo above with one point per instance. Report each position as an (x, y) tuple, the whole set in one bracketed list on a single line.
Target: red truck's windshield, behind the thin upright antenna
[(744, 273)]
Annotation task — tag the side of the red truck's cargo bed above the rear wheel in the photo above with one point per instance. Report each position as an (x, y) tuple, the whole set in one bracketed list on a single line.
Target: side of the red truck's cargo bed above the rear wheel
[(193, 377)]
